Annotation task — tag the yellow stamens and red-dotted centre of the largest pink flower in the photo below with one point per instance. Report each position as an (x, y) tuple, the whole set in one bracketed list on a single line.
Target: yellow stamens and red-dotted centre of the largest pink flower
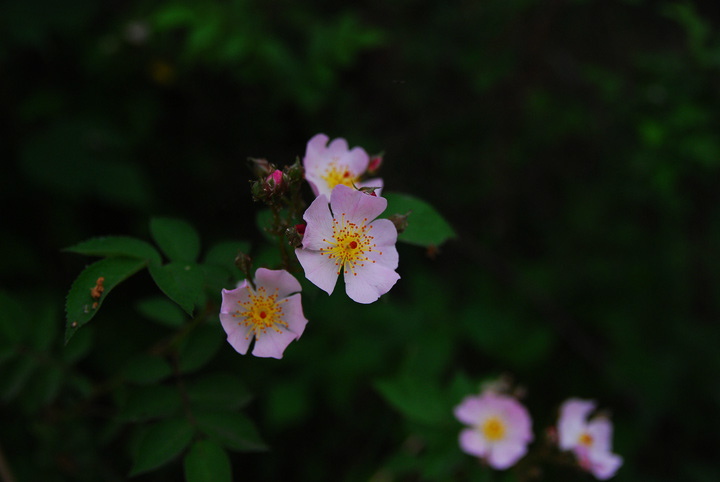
[(350, 245)]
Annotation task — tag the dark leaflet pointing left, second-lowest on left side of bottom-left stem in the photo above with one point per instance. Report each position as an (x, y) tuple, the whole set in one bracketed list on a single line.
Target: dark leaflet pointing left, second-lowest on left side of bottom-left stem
[(154, 401)]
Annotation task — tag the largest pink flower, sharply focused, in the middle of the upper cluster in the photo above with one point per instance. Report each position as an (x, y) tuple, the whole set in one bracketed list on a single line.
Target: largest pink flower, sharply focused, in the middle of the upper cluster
[(349, 239)]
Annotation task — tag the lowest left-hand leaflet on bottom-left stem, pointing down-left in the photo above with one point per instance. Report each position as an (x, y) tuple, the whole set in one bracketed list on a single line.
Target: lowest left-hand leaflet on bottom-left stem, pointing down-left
[(162, 442)]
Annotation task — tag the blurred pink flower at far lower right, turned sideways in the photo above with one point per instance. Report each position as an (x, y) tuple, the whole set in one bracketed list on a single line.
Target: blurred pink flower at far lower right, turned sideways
[(590, 440)]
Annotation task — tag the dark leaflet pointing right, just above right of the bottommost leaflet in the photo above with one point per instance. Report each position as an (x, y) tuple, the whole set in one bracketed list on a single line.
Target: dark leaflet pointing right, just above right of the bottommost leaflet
[(231, 429)]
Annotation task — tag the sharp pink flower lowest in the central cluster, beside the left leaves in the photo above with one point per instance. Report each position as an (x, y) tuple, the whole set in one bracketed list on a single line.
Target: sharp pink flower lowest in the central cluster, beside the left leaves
[(271, 314)]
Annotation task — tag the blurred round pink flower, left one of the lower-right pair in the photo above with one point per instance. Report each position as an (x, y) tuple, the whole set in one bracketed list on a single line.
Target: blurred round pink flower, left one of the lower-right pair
[(500, 428)]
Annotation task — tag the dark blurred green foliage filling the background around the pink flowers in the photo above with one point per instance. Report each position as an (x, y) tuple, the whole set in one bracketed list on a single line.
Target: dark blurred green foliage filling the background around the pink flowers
[(571, 144)]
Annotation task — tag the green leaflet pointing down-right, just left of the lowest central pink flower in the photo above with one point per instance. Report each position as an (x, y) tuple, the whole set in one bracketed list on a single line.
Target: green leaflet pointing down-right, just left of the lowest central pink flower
[(181, 282)]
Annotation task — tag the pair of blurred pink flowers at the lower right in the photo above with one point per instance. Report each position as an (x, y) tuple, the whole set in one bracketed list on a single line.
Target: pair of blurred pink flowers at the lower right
[(500, 430)]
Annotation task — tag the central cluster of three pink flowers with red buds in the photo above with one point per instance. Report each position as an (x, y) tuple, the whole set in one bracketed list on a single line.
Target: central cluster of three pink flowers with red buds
[(341, 234)]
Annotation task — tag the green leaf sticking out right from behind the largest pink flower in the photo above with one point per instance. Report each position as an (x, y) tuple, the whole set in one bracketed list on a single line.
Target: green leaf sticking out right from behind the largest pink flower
[(426, 227)]
